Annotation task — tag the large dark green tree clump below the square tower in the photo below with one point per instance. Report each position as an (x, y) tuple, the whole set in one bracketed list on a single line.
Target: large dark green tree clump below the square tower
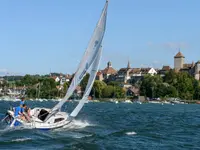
[(173, 84)]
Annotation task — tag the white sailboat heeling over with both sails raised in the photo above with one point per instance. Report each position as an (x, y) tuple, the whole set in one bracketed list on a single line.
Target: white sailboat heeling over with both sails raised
[(46, 118)]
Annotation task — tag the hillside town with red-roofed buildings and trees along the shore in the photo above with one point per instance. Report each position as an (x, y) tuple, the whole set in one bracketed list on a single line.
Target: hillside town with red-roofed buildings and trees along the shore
[(131, 82)]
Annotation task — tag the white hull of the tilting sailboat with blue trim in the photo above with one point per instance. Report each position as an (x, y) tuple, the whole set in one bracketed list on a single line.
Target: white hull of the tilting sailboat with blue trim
[(37, 118)]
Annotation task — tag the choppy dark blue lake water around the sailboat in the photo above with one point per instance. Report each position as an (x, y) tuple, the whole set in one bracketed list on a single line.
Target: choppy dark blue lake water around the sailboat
[(112, 126)]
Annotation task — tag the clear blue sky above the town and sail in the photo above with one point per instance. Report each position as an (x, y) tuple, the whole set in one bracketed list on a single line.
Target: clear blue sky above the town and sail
[(43, 36)]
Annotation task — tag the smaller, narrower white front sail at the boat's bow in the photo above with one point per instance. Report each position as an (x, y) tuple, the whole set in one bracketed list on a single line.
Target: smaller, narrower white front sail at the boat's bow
[(93, 72)]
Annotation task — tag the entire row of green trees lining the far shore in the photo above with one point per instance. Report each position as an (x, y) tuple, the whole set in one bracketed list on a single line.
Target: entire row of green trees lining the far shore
[(172, 85)]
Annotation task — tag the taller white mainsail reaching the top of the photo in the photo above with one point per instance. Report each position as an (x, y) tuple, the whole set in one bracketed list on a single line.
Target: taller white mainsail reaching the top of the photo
[(88, 58)]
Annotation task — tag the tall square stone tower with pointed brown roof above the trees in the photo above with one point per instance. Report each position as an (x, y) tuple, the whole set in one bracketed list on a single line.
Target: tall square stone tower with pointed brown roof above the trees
[(178, 61)]
